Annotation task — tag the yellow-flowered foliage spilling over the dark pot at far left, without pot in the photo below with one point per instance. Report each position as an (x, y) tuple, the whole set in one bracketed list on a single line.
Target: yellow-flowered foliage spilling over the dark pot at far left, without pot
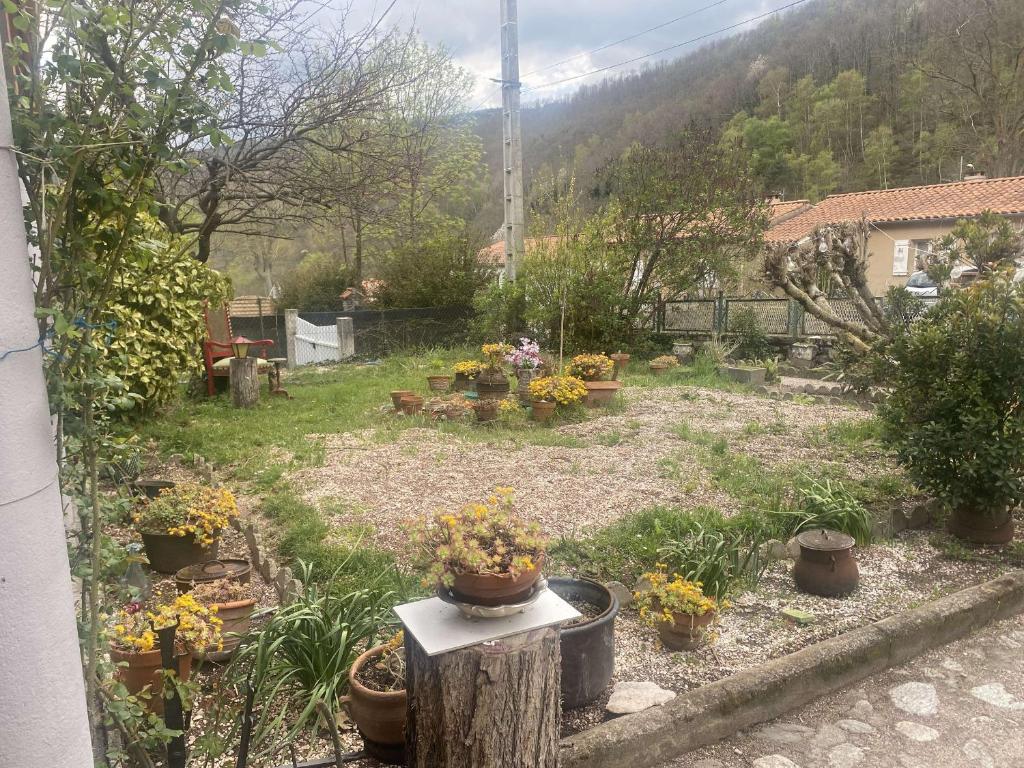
[(189, 509)]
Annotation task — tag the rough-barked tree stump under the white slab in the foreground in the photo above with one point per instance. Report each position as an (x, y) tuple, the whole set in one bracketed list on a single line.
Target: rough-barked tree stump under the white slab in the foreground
[(494, 705)]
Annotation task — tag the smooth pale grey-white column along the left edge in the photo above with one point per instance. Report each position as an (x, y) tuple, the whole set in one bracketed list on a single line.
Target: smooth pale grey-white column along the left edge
[(44, 720)]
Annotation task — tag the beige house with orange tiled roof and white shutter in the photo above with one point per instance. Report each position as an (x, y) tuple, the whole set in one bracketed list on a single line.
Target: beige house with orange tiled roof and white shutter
[(904, 223)]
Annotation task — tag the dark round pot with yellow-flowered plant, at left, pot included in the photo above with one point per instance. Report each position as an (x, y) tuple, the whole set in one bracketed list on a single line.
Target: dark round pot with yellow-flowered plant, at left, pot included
[(183, 526)]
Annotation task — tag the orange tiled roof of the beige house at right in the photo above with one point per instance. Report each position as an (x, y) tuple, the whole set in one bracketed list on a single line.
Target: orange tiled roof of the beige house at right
[(950, 201)]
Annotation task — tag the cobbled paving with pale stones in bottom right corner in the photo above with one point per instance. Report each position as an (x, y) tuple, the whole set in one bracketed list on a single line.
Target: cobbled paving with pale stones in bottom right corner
[(962, 706)]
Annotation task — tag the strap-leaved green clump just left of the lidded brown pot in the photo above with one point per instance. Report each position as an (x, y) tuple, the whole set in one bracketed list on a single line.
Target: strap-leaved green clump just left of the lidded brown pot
[(716, 559)]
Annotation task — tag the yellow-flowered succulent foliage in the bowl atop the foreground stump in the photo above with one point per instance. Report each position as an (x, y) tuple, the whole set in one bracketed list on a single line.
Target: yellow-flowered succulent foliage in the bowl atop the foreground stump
[(484, 538)]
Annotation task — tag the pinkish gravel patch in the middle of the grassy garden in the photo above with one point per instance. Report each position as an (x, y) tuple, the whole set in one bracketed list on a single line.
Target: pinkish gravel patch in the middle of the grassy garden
[(625, 463)]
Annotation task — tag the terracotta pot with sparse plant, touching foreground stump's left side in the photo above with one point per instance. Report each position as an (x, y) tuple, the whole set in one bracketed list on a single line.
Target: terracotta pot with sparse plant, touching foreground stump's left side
[(376, 700)]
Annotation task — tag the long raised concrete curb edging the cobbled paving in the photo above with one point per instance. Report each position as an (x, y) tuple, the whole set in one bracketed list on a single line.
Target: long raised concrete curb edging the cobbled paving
[(716, 711)]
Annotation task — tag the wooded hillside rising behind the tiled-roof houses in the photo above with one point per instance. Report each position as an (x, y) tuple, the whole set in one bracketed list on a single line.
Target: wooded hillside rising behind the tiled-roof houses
[(837, 96)]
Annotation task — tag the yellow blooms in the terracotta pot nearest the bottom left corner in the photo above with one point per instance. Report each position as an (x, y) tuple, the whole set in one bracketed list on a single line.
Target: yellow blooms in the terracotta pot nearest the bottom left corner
[(134, 629)]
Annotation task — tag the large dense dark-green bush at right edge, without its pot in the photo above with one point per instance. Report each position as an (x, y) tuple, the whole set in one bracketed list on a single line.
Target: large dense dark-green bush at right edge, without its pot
[(955, 415)]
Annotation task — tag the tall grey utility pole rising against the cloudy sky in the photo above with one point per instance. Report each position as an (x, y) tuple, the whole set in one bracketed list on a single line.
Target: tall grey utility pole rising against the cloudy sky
[(511, 141)]
